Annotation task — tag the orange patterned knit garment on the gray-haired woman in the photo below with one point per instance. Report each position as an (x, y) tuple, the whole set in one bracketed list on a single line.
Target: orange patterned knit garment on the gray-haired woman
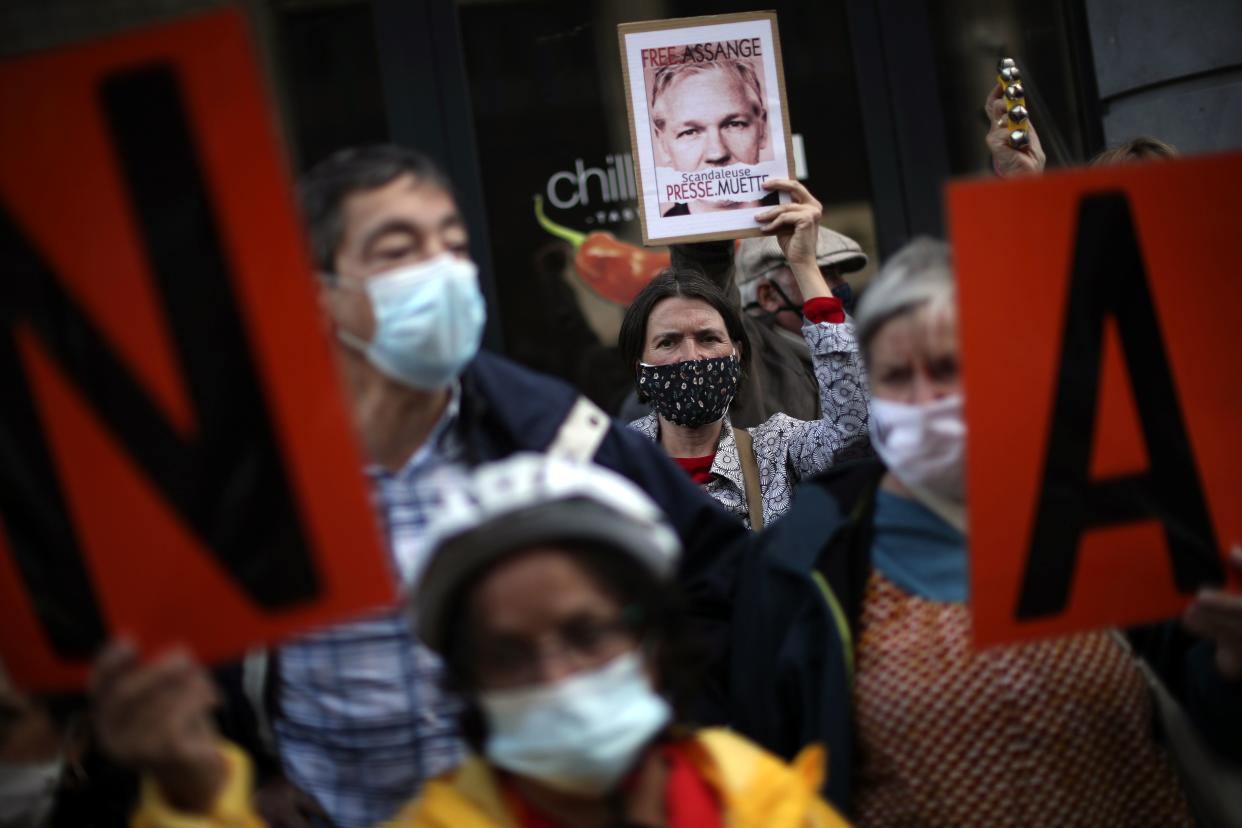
[(1055, 733)]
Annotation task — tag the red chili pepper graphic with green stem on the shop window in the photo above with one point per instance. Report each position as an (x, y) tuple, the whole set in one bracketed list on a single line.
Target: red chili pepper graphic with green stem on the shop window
[(615, 270)]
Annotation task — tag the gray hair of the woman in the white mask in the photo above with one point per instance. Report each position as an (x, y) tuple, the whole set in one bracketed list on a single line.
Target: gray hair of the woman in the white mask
[(918, 274)]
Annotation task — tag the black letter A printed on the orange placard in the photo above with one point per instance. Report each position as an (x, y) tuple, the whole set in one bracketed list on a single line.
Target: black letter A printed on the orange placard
[(1110, 279)]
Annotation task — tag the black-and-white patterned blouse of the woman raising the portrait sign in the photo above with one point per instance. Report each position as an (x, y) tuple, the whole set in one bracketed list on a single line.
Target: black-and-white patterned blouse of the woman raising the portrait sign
[(789, 450)]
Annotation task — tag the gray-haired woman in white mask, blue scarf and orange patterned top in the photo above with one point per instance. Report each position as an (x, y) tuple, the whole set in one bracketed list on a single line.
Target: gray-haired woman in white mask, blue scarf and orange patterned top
[(937, 734)]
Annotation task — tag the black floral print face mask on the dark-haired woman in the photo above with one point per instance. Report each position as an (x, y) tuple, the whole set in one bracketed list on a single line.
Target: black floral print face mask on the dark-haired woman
[(692, 393)]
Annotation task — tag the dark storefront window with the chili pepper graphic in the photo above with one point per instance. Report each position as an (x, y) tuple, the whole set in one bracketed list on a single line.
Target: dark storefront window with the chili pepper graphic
[(551, 122)]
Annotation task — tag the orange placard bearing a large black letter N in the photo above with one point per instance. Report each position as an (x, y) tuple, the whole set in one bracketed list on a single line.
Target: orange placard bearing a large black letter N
[(177, 461)]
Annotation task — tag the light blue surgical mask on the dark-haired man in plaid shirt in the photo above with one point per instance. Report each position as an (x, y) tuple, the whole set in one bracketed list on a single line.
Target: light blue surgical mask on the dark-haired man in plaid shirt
[(429, 322)]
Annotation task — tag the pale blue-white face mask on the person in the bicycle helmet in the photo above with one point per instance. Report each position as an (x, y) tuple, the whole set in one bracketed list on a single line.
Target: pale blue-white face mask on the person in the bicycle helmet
[(579, 736)]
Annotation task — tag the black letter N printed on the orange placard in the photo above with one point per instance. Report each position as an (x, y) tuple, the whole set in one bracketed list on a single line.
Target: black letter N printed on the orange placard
[(228, 484)]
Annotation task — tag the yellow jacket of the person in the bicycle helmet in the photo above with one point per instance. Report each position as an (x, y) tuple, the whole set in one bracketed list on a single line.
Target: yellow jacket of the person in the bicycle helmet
[(756, 789)]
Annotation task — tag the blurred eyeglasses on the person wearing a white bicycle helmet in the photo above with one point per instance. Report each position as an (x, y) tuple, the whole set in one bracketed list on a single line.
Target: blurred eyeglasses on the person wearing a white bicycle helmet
[(579, 644)]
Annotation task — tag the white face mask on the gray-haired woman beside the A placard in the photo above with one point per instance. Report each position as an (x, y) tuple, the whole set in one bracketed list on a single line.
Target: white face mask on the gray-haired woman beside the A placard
[(923, 445)]
